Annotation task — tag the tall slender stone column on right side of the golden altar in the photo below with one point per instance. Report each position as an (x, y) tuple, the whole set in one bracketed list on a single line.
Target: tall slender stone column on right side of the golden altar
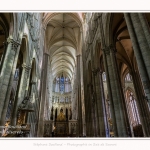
[(80, 124)]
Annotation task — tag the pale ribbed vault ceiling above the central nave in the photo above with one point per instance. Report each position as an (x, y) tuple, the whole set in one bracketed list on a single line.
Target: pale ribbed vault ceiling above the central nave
[(62, 35)]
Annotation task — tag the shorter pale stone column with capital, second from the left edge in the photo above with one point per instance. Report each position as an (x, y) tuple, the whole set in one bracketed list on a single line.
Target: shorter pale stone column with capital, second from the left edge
[(23, 87)]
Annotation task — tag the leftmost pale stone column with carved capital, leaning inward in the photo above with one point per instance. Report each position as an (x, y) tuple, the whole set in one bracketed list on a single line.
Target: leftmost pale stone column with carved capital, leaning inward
[(7, 76)]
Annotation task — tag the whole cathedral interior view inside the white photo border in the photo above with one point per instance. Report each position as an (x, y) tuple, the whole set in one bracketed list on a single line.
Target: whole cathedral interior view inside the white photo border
[(74, 74)]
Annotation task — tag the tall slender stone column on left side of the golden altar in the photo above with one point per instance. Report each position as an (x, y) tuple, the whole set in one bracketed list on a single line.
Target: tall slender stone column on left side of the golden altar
[(42, 95)]
